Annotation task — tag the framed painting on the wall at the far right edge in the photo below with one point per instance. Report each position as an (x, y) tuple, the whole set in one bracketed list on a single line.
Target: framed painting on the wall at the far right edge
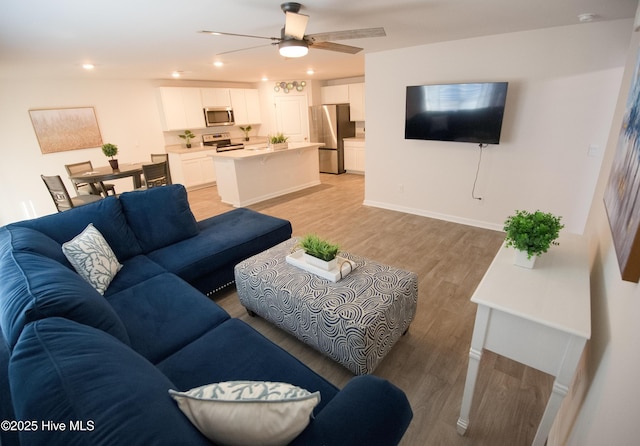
[(622, 195)]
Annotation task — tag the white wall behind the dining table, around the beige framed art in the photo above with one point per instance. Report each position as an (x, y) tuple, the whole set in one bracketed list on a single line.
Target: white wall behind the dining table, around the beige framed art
[(127, 115)]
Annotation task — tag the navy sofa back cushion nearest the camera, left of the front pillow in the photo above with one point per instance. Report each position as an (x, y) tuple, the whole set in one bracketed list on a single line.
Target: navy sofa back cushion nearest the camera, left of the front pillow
[(63, 372)]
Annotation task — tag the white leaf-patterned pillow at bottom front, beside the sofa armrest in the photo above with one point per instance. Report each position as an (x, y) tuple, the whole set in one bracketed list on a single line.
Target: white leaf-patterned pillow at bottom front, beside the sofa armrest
[(248, 412)]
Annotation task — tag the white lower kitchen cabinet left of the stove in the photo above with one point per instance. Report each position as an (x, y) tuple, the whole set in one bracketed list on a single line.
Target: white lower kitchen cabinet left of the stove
[(193, 169)]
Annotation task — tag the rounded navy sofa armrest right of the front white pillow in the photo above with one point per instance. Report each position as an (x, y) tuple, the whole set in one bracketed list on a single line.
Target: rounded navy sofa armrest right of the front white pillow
[(368, 410)]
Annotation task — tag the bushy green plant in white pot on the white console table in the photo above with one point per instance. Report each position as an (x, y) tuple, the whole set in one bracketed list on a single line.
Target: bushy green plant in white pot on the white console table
[(531, 234)]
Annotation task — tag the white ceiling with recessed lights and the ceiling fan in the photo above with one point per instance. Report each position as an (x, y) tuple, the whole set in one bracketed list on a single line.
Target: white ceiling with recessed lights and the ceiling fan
[(144, 39)]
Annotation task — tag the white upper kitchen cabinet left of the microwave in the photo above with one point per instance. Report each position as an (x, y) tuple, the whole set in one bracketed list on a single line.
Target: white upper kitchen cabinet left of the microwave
[(181, 108)]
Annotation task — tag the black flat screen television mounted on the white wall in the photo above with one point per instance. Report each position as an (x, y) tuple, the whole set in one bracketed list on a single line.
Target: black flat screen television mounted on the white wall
[(456, 112)]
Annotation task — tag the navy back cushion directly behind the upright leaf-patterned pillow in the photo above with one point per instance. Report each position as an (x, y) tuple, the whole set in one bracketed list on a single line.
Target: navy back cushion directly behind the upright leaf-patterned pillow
[(106, 215)]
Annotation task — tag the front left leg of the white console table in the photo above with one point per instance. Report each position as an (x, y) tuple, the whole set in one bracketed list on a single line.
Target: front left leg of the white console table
[(475, 354)]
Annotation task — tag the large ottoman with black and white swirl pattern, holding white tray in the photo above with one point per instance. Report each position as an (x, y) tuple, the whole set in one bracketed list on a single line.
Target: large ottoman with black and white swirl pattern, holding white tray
[(354, 321)]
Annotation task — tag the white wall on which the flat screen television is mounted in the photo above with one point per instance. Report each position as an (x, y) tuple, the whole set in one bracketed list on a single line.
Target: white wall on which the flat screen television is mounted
[(563, 85)]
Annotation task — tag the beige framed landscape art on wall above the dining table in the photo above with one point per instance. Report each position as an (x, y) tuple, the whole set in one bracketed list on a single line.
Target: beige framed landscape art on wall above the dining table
[(63, 129)]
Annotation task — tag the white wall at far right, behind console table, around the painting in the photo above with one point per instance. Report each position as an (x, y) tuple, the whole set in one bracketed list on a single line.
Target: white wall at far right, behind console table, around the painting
[(603, 406)]
